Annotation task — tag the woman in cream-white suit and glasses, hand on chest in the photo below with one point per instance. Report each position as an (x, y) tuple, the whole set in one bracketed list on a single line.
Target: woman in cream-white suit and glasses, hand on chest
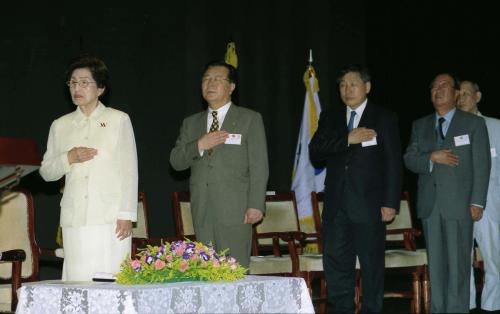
[(94, 148)]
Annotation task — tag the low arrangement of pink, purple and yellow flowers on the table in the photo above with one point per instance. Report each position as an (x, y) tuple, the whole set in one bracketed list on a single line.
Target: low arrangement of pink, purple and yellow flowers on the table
[(179, 261)]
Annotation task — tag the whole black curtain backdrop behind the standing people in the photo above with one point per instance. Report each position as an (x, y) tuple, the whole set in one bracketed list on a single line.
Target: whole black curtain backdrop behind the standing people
[(156, 53)]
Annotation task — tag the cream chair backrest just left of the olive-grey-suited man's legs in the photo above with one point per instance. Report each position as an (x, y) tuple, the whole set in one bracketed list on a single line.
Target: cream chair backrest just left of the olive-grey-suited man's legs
[(181, 205)]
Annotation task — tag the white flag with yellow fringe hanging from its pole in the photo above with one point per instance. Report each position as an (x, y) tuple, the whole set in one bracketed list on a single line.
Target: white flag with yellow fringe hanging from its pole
[(305, 177)]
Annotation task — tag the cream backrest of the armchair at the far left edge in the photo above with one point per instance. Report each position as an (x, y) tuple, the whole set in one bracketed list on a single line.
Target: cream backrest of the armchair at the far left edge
[(17, 231)]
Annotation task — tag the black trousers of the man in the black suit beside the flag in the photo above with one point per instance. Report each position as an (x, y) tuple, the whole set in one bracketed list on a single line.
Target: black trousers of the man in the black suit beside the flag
[(343, 240)]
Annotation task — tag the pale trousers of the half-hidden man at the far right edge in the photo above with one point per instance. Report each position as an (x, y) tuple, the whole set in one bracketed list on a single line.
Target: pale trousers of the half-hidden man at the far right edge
[(487, 235)]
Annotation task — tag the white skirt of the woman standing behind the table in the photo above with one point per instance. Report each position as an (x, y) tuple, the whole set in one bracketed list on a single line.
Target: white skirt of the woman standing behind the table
[(91, 249)]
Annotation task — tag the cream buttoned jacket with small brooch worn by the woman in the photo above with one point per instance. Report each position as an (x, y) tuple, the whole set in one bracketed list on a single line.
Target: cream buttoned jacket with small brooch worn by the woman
[(103, 189)]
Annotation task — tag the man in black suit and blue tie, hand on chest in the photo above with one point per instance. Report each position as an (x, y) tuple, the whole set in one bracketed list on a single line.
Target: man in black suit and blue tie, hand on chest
[(360, 144)]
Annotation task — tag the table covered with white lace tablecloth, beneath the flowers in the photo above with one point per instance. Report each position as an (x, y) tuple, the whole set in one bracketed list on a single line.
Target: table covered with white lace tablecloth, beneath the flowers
[(253, 294)]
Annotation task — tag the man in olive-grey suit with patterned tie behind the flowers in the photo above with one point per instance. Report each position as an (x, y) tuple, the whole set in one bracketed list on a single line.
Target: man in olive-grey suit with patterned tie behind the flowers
[(225, 147)]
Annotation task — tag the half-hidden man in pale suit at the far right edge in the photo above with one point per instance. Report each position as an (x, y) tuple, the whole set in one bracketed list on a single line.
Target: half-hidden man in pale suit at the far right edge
[(487, 230)]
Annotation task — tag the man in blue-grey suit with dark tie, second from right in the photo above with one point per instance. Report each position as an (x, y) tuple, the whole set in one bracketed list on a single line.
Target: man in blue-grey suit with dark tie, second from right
[(450, 152)]
